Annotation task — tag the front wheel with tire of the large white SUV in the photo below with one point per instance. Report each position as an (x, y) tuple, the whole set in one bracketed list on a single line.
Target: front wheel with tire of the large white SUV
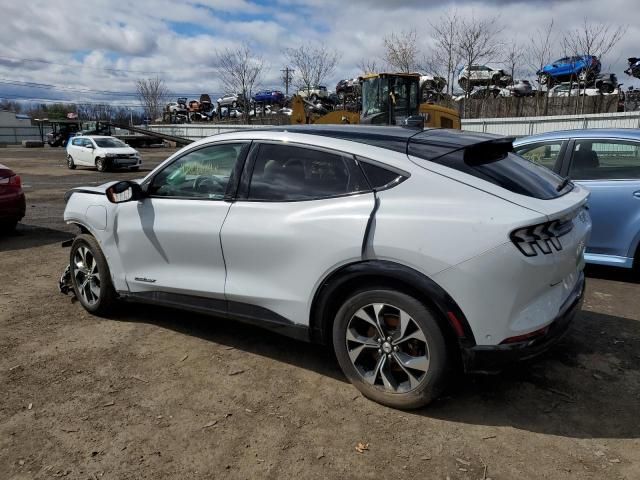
[(90, 276)]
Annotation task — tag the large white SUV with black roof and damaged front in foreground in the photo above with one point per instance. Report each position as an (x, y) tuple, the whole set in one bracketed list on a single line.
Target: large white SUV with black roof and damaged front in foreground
[(408, 251)]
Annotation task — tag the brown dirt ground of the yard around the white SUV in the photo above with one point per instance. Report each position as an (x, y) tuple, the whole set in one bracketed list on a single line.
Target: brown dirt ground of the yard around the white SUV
[(155, 393)]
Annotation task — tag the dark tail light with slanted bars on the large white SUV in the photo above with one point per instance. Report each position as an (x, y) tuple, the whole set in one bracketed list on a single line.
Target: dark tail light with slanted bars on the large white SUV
[(542, 238)]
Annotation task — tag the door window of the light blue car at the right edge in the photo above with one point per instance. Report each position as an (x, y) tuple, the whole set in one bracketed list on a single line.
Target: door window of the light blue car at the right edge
[(605, 160)]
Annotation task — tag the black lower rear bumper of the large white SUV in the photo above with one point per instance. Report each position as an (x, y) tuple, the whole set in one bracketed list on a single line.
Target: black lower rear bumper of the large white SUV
[(491, 359)]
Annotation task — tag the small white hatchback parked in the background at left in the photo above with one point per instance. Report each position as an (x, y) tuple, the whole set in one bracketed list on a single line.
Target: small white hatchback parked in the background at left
[(101, 152)]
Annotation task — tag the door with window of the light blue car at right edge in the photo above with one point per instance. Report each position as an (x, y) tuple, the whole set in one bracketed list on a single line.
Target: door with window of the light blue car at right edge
[(610, 170)]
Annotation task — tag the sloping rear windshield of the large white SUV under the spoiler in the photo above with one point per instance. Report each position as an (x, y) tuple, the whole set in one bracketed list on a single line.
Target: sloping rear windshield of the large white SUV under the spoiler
[(511, 172)]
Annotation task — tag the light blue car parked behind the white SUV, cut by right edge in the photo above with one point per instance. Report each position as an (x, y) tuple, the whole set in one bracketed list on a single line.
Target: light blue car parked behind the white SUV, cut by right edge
[(607, 163)]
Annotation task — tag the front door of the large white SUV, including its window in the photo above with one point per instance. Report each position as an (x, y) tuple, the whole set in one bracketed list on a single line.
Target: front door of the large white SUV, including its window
[(169, 242)]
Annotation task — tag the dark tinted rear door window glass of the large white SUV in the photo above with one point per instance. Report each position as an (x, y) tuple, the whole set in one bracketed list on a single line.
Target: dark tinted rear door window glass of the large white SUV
[(290, 173)]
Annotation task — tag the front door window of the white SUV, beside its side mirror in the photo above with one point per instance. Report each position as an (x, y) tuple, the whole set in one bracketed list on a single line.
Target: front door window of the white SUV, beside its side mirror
[(202, 173)]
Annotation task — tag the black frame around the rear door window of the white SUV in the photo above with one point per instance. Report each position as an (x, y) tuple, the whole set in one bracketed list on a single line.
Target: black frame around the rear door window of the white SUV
[(247, 174)]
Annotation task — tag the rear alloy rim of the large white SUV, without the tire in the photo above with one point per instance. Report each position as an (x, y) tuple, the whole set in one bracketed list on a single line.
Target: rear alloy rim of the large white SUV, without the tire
[(387, 347)]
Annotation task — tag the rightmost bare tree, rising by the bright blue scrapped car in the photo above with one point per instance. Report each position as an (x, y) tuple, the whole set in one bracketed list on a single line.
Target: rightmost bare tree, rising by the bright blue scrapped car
[(591, 39)]
